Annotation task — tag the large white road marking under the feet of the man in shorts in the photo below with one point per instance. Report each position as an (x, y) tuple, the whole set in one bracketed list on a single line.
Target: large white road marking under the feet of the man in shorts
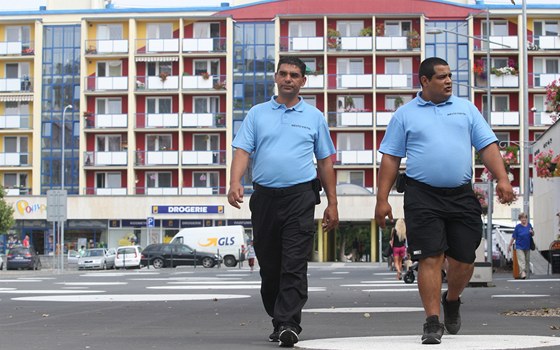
[(412, 342)]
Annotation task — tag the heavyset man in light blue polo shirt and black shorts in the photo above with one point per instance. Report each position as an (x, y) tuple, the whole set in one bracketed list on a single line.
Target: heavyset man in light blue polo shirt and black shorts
[(436, 132)]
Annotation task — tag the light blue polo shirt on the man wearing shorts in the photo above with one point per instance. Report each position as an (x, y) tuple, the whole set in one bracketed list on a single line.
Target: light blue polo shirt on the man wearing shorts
[(437, 139)]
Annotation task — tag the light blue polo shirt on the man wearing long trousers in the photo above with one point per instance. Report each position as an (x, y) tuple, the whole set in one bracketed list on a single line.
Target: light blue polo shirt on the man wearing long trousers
[(282, 142)]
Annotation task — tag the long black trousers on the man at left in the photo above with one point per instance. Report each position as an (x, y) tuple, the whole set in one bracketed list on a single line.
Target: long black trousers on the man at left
[(283, 230)]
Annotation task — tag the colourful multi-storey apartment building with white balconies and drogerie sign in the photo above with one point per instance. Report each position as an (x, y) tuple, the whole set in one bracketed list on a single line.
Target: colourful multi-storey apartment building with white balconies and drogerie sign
[(134, 110)]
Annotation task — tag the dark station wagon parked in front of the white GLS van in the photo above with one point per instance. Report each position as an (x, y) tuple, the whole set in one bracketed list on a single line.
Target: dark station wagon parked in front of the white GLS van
[(172, 255)]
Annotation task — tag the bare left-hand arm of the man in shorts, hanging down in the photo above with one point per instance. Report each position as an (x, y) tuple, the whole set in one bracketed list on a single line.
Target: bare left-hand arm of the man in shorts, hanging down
[(385, 179)]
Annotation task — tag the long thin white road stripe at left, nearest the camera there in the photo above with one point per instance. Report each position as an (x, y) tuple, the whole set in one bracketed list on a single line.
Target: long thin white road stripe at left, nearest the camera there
[(132, 297)]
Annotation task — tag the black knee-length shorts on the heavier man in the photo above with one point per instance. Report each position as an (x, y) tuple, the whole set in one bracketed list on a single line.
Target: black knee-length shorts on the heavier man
[(442, 221)]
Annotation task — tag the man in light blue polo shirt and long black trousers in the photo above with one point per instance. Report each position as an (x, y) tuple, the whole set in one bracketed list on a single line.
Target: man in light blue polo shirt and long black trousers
[(282, 136)]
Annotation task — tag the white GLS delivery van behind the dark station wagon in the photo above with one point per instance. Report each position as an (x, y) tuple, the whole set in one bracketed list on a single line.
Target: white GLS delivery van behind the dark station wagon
[(227, 241)]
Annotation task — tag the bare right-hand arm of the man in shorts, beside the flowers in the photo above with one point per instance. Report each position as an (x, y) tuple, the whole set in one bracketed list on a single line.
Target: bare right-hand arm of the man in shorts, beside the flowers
[(493, 161)]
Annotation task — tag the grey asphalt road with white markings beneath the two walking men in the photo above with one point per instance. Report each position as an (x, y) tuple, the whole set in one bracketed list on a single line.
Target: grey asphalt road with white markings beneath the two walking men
[(351, 306)]
